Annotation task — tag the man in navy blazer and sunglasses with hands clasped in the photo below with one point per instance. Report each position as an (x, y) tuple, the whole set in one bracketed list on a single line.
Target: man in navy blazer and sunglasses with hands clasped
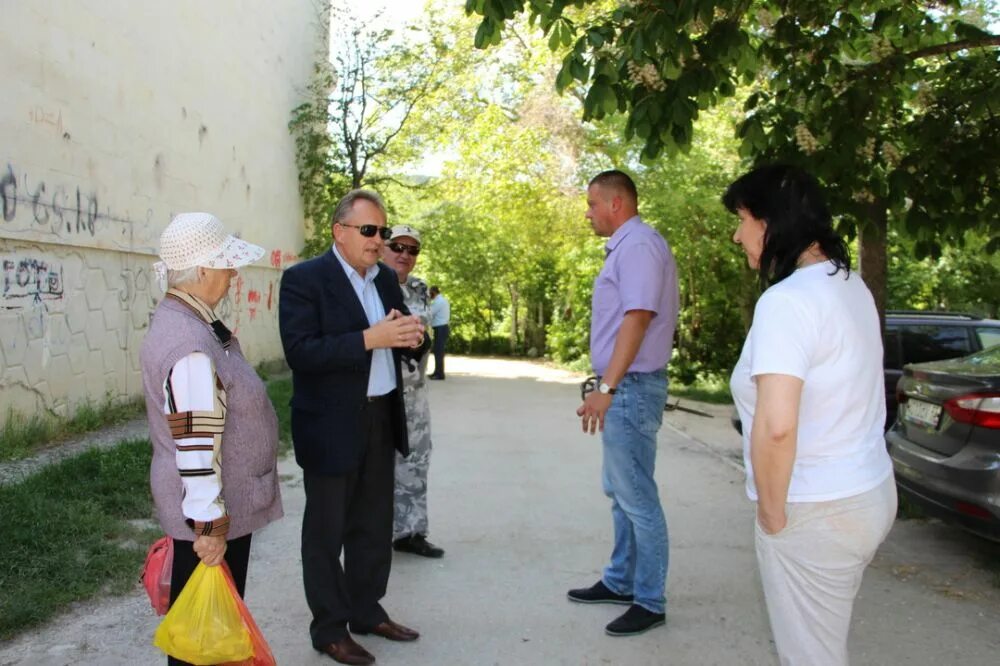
[(345, 330)]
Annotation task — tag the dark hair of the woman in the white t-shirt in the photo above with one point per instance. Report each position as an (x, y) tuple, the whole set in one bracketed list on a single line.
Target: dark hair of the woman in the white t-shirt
[(791, 203)]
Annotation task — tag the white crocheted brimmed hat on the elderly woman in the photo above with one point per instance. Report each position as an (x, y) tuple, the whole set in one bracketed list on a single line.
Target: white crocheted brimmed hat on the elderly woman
[(199, 239)]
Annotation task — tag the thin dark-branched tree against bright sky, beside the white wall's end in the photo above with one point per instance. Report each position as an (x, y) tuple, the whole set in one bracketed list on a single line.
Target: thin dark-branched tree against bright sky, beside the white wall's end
[(350, 131)]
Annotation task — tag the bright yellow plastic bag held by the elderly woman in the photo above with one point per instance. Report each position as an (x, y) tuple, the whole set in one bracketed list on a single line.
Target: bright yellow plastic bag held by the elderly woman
[(204, 626)]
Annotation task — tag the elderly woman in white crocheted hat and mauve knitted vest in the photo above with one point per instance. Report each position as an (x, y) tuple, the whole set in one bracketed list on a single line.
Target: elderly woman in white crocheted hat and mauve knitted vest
[(214, 431)]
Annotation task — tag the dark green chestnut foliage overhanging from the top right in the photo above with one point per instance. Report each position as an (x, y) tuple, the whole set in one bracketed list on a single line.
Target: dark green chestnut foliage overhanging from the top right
[(882, 99)]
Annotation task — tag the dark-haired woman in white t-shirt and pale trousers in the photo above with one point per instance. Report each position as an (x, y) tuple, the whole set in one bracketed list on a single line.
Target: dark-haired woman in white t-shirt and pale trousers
[(809, 390)]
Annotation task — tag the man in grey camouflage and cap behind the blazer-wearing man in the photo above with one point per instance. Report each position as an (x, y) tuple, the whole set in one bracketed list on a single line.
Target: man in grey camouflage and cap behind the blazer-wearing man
[(410, 517)]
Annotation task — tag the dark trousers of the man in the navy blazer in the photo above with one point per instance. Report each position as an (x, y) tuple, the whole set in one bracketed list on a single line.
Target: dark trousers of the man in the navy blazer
[(353, 514)]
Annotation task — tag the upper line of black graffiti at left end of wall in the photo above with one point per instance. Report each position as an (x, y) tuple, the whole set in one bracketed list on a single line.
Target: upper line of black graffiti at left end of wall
[(64, 211)]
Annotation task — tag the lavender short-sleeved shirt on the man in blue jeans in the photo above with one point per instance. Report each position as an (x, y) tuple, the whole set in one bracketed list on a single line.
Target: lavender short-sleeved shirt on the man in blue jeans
[(639, 273)]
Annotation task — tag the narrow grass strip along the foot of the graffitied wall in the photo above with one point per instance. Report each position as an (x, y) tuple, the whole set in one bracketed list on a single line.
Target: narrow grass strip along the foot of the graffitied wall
[(22, 435)]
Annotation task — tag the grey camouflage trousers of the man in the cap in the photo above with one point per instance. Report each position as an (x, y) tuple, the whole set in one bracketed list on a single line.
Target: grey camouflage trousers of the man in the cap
[(410, 515)]
